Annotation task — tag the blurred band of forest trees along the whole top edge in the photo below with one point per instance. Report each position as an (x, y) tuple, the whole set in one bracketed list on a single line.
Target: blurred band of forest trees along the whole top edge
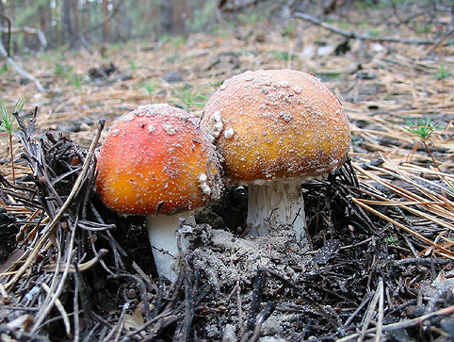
[(41, 24)]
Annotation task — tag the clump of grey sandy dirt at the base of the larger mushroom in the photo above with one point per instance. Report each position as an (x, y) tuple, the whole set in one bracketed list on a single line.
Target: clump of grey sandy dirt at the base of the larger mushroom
[(226, 259)]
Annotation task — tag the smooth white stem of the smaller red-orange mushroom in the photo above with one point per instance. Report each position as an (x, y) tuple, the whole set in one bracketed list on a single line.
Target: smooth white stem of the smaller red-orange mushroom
[(162, 232)]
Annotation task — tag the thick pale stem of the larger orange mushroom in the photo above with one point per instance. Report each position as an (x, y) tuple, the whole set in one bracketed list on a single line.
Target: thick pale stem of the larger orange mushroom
[(273, 203)]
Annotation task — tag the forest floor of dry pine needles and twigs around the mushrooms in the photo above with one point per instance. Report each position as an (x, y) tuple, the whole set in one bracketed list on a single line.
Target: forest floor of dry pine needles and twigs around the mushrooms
[(381, 227)]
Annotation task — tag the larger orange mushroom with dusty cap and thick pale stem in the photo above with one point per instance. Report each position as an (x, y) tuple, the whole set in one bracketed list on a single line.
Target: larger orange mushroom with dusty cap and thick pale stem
[(275, 129)]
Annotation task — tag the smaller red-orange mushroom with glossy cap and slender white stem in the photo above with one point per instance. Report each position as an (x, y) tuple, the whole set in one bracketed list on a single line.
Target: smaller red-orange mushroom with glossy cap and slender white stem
[(157, 161)]
